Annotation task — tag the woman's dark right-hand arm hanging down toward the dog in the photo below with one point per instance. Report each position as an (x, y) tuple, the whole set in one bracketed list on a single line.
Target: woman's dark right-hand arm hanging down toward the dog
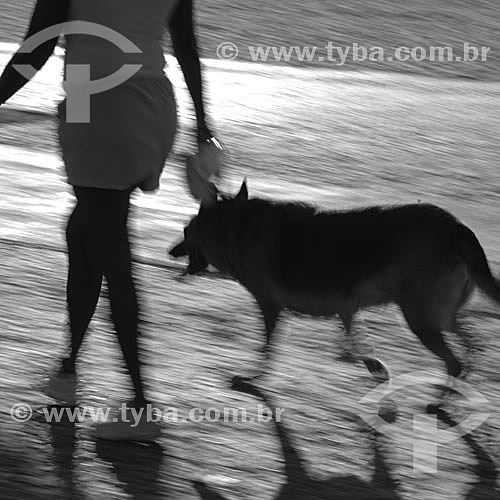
[(186, 52)]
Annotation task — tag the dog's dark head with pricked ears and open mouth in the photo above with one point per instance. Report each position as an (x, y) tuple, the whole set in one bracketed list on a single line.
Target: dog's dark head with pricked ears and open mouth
[(200, 235)]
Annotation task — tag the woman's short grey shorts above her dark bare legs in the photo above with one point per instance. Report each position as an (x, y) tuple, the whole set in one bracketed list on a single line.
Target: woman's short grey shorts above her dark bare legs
[(130, 134)]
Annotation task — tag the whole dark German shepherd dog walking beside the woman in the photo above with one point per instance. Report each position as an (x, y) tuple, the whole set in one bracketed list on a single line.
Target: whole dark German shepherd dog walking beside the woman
[(292, 256)]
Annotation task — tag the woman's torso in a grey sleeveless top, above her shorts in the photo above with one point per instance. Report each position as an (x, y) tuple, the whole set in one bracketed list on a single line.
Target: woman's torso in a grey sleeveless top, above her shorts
[(141, 22)]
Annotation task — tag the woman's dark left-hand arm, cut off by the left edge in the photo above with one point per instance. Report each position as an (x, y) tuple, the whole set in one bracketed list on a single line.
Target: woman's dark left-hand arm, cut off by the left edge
[(47, 13)]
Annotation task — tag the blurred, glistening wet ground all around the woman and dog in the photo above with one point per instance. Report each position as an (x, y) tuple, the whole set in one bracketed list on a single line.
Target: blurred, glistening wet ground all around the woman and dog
[(339, 136)]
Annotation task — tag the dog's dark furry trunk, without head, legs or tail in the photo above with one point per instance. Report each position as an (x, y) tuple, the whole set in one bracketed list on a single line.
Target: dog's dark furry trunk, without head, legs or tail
[(313, 261)]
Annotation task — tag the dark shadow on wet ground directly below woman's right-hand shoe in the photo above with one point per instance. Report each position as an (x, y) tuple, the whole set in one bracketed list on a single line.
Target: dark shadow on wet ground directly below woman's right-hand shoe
[(137, 466)]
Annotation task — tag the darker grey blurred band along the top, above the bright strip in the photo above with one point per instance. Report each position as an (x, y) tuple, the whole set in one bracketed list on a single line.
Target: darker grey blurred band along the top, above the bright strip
[(377, 23)]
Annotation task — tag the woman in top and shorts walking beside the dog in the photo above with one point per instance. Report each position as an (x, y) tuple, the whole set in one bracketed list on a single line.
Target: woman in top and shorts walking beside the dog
[(123, 147)]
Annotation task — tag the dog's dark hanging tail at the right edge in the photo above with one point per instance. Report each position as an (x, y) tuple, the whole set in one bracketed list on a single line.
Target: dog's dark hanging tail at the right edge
[(472, 253)]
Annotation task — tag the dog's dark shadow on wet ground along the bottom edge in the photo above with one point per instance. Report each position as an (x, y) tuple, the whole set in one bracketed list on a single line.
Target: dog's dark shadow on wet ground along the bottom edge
[(299, 486)]
